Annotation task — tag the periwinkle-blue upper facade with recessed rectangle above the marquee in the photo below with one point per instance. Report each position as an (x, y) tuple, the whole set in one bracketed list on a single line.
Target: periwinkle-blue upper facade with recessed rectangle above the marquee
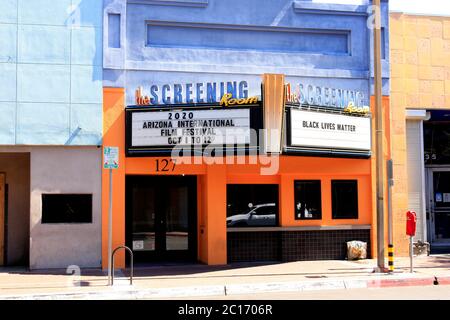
[(323, 43)]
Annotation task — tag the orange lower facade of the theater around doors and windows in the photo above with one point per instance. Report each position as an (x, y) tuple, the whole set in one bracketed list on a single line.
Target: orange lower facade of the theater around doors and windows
[(211, 241)]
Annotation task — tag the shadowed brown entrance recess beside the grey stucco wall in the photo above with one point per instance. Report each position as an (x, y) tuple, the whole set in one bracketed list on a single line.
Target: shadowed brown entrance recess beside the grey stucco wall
[(16, 166)]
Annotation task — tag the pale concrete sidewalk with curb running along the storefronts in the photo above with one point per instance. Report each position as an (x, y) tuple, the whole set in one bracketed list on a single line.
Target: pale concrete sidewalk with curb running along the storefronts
[(178, 281)]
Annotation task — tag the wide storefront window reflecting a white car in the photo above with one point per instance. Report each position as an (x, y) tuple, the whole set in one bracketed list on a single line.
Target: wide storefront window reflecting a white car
[(252, 205)]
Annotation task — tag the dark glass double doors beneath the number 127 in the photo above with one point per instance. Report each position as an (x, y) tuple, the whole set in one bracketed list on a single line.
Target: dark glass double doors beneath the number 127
[(161, 218)]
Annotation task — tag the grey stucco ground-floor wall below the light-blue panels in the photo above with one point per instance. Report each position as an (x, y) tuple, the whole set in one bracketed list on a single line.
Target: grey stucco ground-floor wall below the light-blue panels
[(32, 171)]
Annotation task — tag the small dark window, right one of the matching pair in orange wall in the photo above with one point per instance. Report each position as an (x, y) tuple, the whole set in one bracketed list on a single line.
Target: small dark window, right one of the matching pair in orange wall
[(344, 195)]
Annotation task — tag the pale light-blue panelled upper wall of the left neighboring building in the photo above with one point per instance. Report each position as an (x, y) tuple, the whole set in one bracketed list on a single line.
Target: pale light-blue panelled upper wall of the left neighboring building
[(51, 72)]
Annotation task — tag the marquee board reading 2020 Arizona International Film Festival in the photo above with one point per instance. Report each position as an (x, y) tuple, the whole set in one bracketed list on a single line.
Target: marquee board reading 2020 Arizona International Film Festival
[(152, 131)]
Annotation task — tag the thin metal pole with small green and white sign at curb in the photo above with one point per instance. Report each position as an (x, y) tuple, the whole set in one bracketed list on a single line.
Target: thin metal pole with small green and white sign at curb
[(110, 161)]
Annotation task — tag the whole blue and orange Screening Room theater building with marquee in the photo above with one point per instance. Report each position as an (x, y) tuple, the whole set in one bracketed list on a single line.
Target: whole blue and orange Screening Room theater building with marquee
[(290, 84)]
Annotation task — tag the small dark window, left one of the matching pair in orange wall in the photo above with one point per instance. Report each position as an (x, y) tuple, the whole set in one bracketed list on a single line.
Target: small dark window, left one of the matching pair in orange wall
[(308, 200)]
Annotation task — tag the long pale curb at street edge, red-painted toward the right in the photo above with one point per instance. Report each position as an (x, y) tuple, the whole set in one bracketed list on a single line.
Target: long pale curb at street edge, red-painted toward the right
[(127, 292)]
